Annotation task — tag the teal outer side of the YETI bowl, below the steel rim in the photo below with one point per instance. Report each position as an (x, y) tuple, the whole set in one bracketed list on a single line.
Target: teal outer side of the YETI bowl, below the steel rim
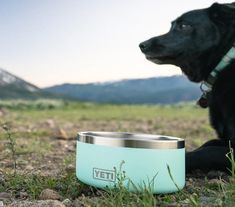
[(158, 170)]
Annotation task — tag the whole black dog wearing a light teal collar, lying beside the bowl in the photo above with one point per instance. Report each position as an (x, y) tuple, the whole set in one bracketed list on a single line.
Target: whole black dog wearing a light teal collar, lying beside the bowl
[(197, 42)]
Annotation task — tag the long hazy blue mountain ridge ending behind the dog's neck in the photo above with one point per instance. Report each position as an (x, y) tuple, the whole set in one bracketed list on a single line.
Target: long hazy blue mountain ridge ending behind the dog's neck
[(164, 90)]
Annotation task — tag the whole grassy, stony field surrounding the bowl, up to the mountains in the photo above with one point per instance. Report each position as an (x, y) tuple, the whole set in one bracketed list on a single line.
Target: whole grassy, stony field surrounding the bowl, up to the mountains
[(38, 142)]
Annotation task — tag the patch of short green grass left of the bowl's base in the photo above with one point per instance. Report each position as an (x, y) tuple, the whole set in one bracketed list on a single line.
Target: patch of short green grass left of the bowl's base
[(34, 184)]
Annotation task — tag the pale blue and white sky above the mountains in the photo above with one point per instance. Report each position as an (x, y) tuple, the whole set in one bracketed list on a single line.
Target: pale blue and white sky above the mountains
[(48, 42)]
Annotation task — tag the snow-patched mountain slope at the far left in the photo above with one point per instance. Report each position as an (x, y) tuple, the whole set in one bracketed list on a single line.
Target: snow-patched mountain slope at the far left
[(13, 87)]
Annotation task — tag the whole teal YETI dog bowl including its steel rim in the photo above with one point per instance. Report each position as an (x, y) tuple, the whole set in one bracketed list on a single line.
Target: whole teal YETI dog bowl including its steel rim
[(138, 161)]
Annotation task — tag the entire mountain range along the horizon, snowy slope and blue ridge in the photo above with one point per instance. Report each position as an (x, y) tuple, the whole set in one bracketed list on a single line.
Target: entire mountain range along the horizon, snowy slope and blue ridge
[(155, 90)]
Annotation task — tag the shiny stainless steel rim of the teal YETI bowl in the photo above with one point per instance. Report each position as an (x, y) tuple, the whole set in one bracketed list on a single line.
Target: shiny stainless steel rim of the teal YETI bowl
[(131, 140)]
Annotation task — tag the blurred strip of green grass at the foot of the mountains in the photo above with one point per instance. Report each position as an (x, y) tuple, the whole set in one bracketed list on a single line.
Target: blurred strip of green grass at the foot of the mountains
[(73, 111)]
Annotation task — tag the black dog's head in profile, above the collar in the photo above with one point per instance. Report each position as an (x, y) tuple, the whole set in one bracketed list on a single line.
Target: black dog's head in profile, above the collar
[(196, 42)]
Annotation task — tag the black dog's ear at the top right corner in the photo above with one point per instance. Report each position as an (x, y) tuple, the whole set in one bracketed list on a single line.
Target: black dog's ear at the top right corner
[(222, 13)]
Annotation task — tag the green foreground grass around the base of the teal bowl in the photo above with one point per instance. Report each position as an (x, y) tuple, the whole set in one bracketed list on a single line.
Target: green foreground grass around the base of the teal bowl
[(69, 187)]
